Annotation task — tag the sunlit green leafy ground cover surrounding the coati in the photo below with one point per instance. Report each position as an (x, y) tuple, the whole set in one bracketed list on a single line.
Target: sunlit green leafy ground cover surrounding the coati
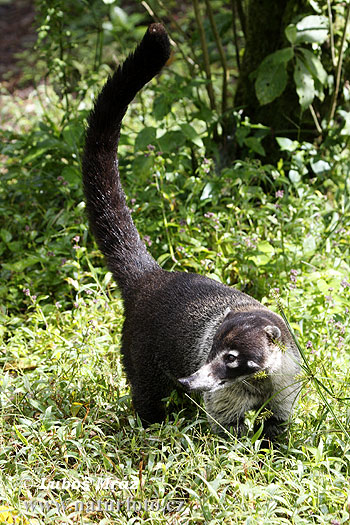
[(72, 449)]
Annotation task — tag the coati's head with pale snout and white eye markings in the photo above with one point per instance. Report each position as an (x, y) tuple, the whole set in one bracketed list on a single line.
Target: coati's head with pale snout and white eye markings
[(244, 344)]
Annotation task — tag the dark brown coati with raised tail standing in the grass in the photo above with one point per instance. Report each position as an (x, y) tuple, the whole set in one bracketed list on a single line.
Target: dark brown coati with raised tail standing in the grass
[(181, 330)]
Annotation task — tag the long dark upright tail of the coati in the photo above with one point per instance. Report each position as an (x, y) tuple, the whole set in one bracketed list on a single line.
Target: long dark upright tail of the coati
[(110, 218)]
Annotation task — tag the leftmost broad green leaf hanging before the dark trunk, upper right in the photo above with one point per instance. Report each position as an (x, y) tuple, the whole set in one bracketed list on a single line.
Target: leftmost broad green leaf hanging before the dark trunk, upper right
[(272, 76)]
